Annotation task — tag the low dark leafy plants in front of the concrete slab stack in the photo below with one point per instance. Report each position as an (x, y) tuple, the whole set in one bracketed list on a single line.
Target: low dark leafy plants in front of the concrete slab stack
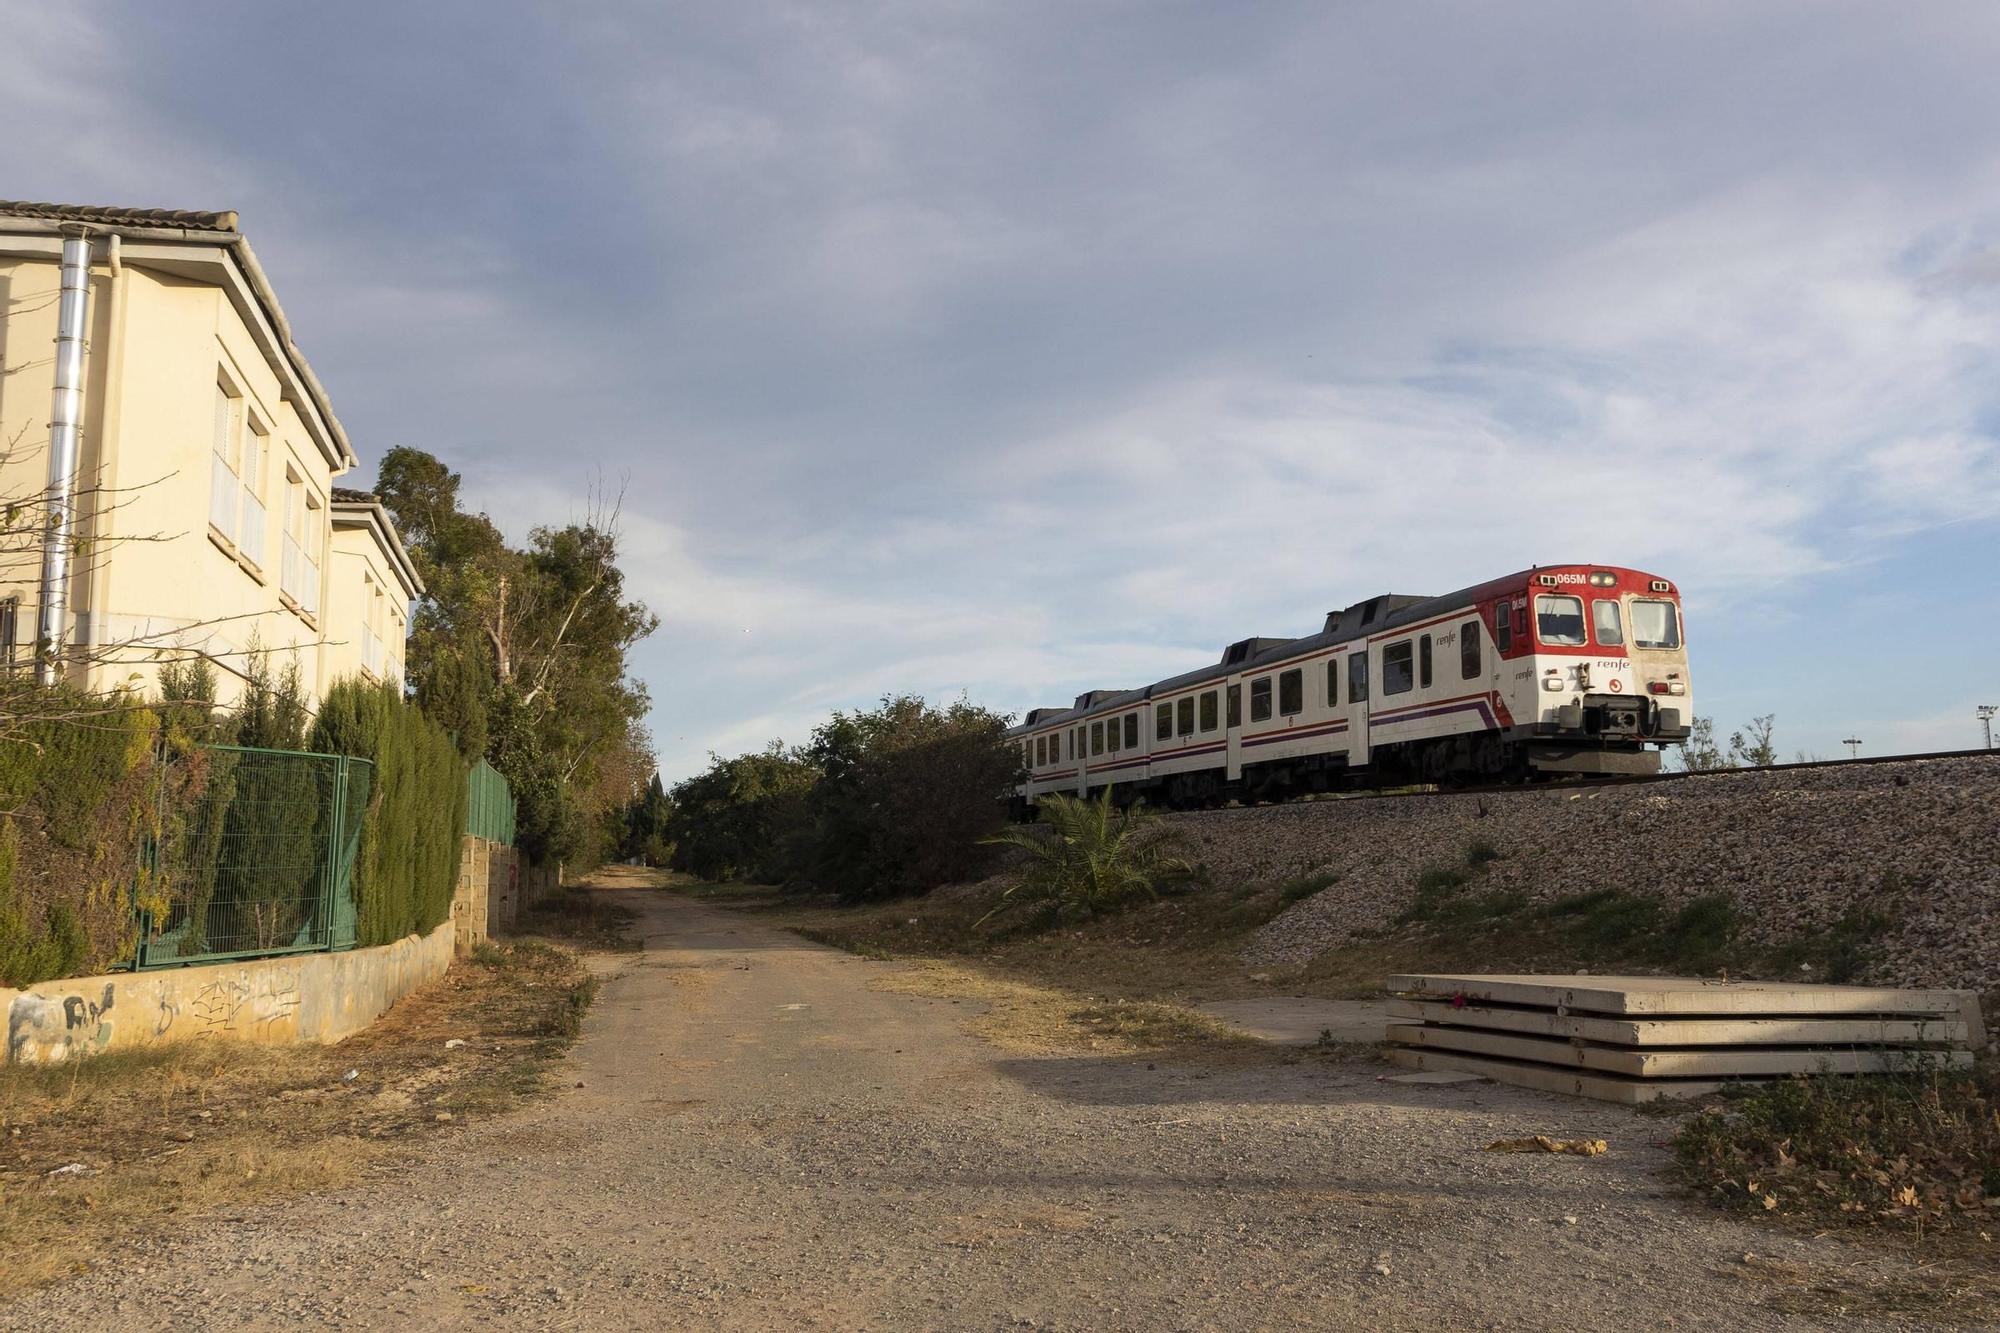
[(1917, 1150)]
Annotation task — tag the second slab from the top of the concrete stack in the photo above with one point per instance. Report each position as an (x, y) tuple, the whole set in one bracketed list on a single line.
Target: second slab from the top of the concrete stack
[(1711, 1032)]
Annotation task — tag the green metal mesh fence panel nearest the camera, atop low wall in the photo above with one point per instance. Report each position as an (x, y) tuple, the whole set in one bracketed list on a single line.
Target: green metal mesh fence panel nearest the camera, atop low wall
[(261, 862)]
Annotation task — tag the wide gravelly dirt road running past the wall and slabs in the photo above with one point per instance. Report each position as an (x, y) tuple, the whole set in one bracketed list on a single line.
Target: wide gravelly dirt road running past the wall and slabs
[(755, 1140)]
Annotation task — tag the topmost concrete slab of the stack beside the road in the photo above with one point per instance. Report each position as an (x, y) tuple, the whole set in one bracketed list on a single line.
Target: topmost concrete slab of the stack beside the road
[(1677, 996)]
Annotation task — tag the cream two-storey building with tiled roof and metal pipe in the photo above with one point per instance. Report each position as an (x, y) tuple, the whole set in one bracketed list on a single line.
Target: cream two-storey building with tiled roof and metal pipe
[(205, 459)]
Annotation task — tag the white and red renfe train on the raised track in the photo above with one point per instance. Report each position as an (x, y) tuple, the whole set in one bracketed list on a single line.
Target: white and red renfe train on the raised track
[(1555, 670)]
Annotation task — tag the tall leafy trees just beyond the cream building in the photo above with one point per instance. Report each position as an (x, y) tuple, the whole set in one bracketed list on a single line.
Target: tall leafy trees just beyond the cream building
[(521, 653)]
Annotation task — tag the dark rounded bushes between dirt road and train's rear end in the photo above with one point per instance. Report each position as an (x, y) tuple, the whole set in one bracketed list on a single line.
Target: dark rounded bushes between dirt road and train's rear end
[(879, 804)]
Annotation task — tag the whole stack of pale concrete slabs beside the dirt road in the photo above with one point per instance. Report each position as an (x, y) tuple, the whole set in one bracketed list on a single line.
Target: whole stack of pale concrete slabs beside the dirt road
[(1645, 1038)]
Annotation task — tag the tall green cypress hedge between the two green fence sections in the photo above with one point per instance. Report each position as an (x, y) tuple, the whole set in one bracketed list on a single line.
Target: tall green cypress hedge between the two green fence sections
[(417, 812)]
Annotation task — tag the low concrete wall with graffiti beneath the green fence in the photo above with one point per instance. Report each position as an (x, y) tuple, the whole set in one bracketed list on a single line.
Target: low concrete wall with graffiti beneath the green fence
[(273, 1002)]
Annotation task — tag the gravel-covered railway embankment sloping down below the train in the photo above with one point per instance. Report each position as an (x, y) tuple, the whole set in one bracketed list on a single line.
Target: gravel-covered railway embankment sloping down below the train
[(1901, 862)]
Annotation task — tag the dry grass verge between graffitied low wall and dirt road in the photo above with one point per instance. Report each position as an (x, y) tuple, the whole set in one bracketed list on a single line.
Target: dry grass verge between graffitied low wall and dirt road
[(181, 1132)]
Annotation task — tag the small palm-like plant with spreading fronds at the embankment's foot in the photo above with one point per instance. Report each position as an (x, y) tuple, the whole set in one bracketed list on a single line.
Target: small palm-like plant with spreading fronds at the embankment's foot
[(1089, 858)]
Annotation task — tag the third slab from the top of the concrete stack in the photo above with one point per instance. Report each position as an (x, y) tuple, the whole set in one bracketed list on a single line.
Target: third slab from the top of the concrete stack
[(1691, 1064)]
